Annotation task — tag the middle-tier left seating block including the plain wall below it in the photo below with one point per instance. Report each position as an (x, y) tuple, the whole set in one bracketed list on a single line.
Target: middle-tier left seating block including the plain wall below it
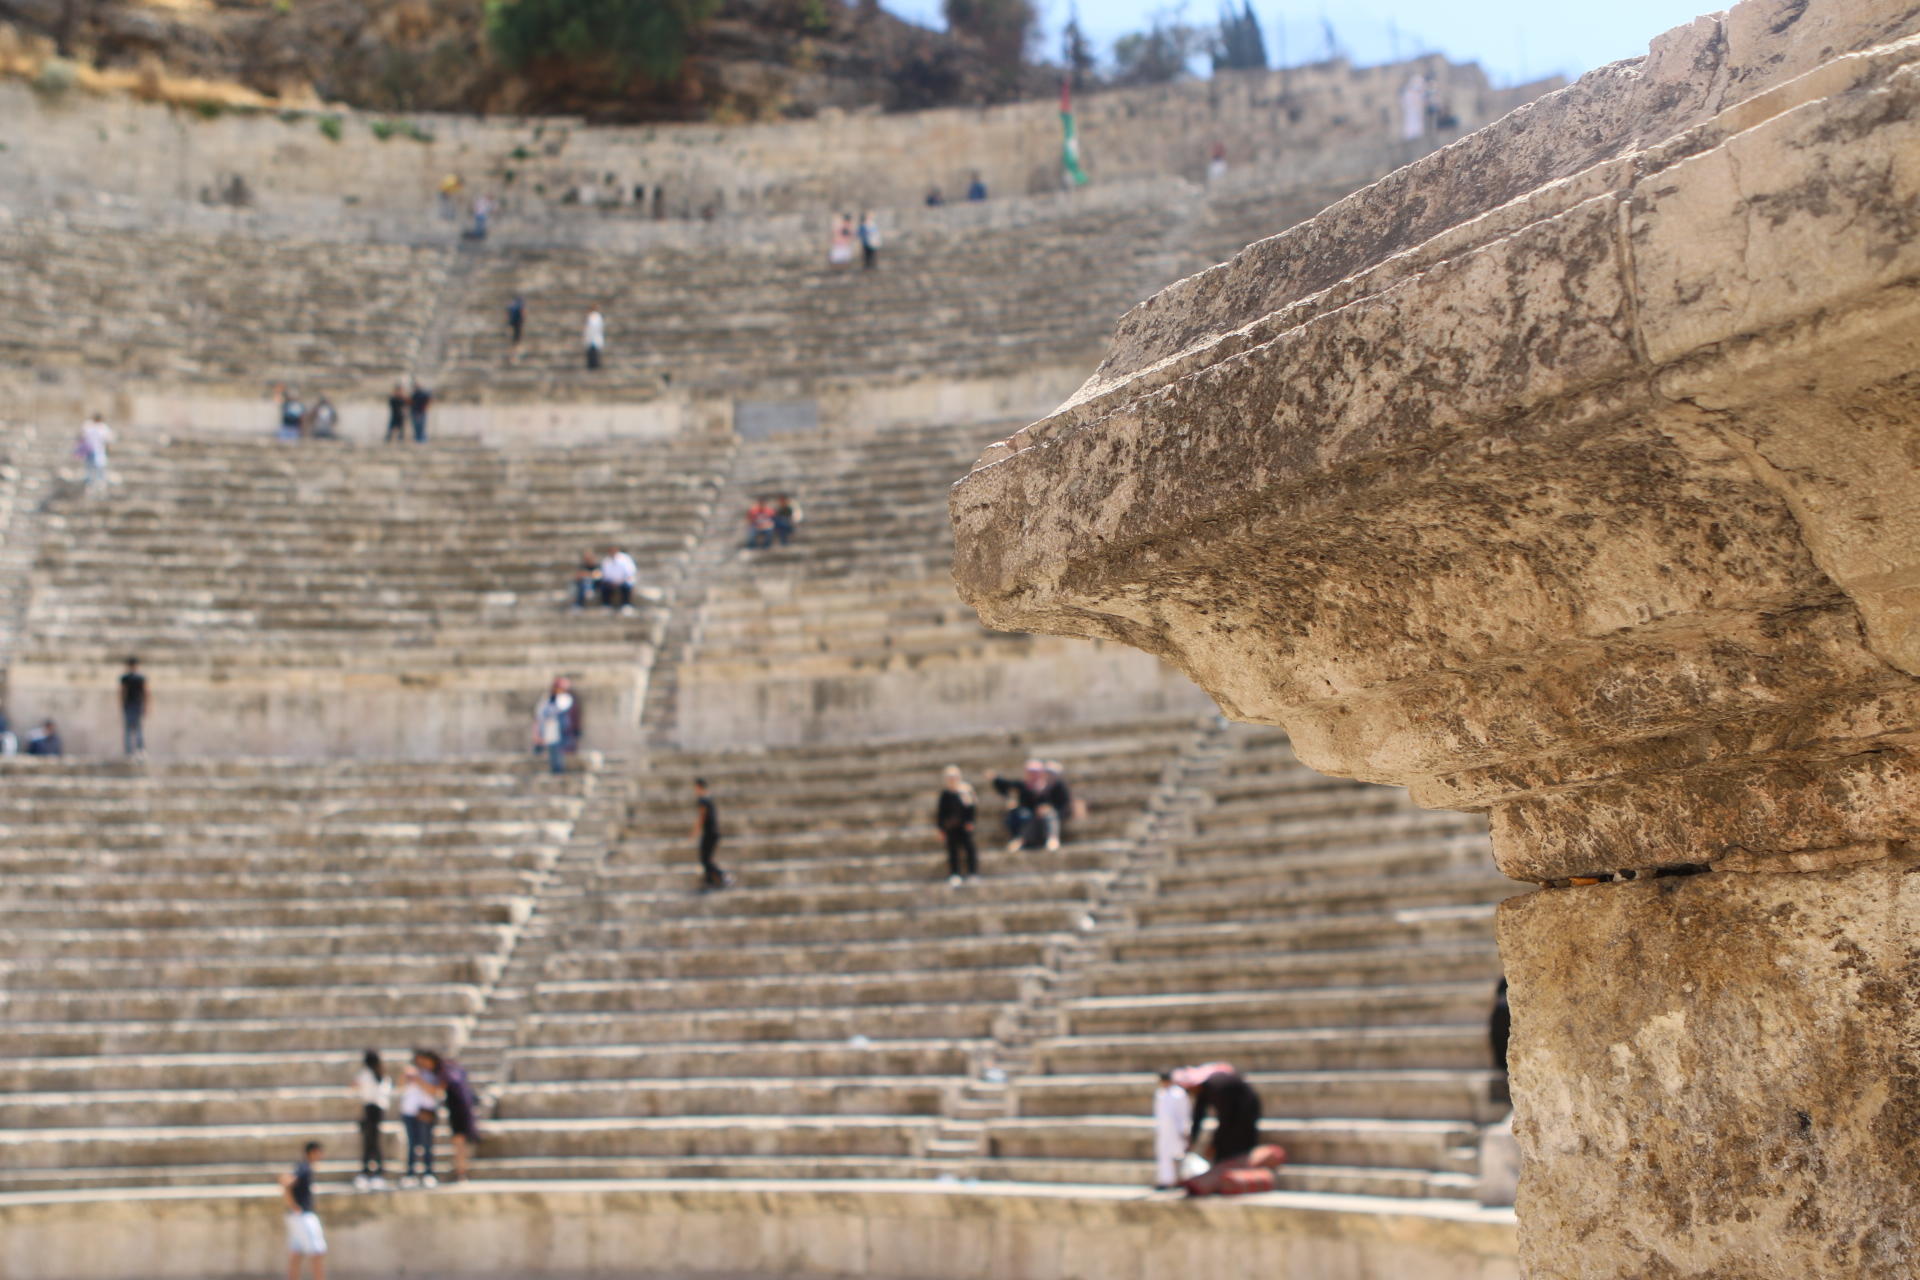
[(352, 600)]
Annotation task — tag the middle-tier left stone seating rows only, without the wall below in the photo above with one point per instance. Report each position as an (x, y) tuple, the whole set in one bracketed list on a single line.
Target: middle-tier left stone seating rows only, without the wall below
[(220, 544)]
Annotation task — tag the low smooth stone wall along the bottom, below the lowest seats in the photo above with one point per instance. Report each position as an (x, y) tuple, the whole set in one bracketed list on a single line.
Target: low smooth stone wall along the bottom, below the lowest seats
[(775, 1231)]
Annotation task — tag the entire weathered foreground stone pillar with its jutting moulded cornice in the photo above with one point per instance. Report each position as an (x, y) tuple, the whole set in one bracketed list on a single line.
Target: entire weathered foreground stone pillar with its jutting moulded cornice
[(1568, 475)]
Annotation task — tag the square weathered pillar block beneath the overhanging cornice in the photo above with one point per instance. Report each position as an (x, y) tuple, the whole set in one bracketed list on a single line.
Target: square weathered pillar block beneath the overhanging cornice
[(1721, 1078)]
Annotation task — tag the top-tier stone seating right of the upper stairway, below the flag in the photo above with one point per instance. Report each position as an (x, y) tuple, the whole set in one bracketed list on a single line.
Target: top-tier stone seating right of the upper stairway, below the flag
[(982, 302)]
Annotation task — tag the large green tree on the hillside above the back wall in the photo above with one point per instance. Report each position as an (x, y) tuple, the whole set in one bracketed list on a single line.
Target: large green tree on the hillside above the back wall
[(631, 37)]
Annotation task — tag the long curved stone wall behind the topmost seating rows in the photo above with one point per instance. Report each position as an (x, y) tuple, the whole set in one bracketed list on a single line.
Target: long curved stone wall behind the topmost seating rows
[(99, 158)]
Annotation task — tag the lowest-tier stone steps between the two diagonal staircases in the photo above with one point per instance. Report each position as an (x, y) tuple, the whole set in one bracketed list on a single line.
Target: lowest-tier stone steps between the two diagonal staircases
[(842, 982)]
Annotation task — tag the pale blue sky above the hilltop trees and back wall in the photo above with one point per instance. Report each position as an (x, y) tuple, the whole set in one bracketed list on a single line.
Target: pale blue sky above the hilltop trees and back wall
[(1514, 39)]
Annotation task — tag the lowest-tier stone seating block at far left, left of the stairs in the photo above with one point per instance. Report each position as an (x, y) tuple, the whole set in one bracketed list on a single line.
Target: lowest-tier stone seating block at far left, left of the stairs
[(193, 957)]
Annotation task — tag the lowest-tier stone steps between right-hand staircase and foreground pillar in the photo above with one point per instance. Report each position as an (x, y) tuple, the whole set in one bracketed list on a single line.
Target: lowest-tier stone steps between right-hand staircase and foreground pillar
[(1326, 937)]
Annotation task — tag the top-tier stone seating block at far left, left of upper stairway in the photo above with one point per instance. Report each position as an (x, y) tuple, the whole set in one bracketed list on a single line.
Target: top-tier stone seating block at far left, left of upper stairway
[(233, 312)]
